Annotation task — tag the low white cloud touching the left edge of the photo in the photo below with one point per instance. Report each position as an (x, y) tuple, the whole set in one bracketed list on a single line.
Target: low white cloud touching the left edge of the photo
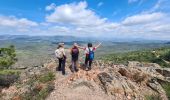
[(13, 25)]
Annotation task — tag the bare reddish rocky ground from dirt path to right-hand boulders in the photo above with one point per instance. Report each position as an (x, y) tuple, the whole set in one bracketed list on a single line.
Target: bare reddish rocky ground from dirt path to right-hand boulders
[(110, 82)]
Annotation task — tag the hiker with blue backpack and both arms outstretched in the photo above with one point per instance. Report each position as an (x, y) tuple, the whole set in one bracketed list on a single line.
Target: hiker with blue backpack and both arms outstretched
[(89, 53)]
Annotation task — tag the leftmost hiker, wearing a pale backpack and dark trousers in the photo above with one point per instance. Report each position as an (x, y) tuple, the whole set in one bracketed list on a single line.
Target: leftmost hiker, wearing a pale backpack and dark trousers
[(60, 54)]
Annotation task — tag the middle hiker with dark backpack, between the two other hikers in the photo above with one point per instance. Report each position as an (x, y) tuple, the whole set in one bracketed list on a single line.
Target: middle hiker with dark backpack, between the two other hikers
[(74, 57)]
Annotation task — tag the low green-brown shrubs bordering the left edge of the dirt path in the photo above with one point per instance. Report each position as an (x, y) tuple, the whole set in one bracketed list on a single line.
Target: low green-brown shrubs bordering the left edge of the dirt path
[(39, 86)]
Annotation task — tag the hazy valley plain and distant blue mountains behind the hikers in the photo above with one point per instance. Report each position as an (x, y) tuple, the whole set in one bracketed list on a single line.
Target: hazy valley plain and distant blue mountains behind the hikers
[(36, 50)]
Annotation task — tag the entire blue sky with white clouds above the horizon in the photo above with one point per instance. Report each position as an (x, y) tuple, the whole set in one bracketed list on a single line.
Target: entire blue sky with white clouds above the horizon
[(126, 19)]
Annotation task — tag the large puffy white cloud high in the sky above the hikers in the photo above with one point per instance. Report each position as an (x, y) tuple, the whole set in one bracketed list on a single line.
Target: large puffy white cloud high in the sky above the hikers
[(75, 14)]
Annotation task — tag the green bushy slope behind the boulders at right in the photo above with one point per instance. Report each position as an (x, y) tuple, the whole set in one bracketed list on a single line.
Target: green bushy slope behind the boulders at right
[(160, 56)]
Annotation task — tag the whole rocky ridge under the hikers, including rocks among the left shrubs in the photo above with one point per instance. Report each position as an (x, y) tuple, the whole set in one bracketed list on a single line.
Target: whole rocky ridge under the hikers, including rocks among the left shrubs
[(106, 81)]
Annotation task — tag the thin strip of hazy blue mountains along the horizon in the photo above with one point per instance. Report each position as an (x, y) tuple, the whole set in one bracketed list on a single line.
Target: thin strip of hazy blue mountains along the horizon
[(56, 39)]
